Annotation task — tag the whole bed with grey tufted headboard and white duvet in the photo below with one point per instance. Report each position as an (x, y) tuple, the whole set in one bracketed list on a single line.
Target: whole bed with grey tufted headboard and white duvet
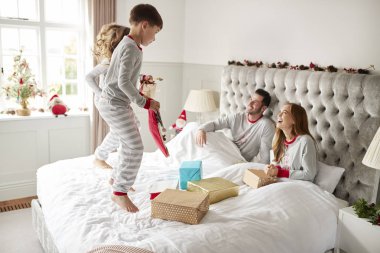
[(75, 214)]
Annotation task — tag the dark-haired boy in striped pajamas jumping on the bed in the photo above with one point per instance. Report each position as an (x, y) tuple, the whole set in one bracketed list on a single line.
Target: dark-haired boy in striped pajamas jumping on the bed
[(118, 93)]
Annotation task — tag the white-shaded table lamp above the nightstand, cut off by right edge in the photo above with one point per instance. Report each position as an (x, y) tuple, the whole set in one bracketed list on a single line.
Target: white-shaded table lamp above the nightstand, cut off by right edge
[(372, 159)]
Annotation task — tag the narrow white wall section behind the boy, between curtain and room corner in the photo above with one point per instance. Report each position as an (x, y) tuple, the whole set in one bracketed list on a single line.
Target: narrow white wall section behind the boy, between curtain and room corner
[(163, 58)]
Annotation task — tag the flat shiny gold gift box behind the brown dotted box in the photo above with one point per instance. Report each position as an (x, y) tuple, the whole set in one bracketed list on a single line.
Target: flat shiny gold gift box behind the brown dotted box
[(217, 188)]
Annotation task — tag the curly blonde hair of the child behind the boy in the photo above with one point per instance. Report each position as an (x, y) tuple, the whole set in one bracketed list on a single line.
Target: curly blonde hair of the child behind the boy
[(107, 39)]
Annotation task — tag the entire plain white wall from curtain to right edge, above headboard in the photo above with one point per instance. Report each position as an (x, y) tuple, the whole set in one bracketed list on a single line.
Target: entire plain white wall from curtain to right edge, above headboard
[(200, 36)]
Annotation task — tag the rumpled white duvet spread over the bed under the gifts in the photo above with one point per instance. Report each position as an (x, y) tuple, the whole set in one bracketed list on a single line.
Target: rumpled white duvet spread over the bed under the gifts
[(290, 216)]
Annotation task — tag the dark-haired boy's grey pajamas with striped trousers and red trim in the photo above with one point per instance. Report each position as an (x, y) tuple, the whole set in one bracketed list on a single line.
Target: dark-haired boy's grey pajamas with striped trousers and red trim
[(114, 107)]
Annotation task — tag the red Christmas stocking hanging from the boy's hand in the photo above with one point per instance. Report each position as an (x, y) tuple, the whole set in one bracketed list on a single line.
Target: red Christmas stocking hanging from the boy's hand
[(156, 128)]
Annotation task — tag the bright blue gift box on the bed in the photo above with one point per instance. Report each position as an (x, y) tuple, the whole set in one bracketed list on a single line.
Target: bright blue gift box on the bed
[(189, 171)]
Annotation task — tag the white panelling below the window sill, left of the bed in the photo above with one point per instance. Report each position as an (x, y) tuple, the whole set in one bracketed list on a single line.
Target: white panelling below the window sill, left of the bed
[(27, 143)]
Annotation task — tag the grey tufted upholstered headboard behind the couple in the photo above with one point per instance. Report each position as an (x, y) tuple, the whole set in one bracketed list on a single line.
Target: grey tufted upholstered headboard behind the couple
[(343, 111)]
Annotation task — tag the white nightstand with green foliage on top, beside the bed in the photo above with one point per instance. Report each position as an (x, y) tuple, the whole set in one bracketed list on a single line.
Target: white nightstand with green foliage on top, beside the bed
[(356, 235)]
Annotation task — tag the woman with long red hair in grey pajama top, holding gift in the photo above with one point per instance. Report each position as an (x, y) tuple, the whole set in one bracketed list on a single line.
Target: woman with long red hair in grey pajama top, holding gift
[(293, 146)]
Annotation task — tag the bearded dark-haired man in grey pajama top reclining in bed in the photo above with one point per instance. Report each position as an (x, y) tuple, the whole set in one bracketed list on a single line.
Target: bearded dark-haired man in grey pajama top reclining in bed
[(251, 132)]
